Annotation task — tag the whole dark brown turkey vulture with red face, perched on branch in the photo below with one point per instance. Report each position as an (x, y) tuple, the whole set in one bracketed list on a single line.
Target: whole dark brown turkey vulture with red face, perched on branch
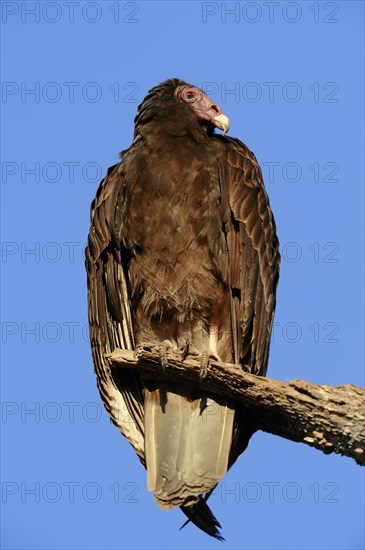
[(182, 252)]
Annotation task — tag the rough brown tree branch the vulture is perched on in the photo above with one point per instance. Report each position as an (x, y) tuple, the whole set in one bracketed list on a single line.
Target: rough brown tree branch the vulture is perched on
[(330, 418)]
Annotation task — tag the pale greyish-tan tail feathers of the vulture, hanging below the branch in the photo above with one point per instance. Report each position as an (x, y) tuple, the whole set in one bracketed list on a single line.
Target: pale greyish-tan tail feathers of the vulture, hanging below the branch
[(187, 445)]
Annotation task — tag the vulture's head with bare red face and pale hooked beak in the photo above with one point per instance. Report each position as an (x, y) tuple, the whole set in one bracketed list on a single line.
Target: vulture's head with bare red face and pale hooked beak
[(176, 108)]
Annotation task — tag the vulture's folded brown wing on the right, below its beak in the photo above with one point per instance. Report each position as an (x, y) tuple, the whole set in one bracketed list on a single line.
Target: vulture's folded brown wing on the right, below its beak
[(254, 257)]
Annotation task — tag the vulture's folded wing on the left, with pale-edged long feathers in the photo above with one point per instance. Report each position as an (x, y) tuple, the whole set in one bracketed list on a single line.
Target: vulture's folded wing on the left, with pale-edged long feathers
[(110, 317)]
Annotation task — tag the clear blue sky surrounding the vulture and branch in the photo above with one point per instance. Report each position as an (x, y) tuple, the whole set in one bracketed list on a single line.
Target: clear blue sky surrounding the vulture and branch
[(289, 76)]
